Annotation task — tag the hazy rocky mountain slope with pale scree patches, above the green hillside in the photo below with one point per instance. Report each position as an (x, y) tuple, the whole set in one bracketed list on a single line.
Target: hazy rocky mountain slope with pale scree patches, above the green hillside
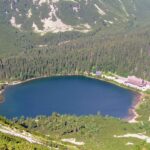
[(43, 16)]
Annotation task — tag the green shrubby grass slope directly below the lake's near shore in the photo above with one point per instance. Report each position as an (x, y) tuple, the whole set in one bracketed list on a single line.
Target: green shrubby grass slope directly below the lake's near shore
[(95, 131)]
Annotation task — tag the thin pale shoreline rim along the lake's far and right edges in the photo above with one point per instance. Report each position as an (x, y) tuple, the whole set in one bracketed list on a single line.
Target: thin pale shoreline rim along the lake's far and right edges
[(131, 118)]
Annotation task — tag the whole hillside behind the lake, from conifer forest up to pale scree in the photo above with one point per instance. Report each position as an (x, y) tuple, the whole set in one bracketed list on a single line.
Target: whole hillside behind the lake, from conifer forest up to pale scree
[(117, 40)]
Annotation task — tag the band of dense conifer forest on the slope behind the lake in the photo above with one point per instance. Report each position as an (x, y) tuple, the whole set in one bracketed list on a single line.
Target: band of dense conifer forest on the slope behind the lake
[(124, 53)]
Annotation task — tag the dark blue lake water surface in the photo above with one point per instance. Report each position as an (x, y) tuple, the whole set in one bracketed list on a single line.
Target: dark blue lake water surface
[(66, 95)]
